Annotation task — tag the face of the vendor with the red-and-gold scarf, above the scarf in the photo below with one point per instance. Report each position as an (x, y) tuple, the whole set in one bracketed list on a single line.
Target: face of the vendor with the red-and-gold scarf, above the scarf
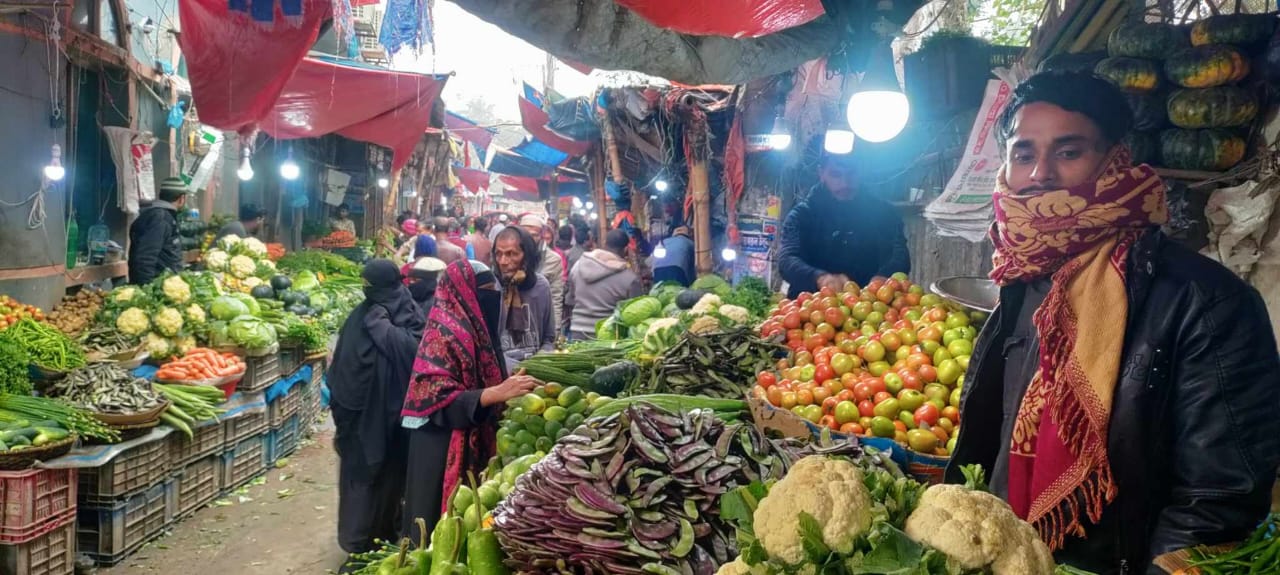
[(1053, 149)]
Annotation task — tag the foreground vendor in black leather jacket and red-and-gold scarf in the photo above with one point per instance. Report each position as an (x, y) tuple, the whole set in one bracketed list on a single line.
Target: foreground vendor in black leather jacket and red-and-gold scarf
[(1124, 393)]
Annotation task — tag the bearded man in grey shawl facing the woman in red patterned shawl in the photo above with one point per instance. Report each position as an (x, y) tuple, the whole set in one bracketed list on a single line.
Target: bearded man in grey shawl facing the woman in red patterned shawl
[(528, 322)]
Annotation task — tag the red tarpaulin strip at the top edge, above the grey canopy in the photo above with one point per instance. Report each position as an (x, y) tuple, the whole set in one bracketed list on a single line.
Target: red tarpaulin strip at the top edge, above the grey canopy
[(733, 19)]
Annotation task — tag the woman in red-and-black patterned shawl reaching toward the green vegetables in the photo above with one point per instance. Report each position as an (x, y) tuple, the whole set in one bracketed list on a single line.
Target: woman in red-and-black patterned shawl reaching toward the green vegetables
[(459, 378)]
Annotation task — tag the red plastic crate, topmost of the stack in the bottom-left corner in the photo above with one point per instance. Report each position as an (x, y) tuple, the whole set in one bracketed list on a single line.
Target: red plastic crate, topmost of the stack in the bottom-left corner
[(34, 503)]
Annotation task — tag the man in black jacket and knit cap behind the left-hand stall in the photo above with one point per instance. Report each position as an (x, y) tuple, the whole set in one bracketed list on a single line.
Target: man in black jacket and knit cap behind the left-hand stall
[(154, 241)]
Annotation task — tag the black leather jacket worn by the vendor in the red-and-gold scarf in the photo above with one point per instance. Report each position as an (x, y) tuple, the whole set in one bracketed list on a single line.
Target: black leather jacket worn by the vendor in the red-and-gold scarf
[(1195, 437)]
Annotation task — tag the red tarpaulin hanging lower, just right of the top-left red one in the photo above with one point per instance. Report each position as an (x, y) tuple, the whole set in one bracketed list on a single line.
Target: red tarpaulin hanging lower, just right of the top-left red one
[(362, 103)]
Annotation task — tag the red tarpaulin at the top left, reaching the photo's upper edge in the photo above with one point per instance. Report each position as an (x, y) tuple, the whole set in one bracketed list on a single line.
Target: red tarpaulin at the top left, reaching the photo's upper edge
[(239, 66)]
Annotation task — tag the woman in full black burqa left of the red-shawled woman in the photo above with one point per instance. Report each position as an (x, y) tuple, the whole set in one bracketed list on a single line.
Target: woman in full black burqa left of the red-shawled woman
[(371, 373)]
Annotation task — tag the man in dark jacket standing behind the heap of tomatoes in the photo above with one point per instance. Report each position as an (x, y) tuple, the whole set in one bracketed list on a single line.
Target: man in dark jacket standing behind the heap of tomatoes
[(840, 234)]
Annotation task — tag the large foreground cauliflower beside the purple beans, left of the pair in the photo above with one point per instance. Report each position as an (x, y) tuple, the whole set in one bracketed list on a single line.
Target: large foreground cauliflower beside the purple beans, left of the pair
[(829, 490)]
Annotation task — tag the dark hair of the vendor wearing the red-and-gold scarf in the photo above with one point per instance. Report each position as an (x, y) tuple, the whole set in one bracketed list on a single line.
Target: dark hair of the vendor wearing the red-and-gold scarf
[(1081, 93)]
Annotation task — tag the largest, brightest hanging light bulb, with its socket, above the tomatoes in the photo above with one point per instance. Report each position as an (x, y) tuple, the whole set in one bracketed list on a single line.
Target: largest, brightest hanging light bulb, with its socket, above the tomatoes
[(879, 111)]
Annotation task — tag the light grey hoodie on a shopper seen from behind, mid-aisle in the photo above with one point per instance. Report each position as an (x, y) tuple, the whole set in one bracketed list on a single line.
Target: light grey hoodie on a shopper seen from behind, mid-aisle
[(596, 286)]
